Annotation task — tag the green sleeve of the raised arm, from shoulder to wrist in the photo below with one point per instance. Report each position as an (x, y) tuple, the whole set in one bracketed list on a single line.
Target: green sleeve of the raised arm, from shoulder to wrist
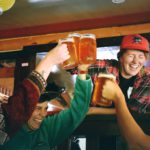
[(63, 124)]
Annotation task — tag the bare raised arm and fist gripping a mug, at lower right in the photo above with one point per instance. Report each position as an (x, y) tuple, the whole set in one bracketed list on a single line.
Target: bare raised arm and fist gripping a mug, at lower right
[(133, 134)]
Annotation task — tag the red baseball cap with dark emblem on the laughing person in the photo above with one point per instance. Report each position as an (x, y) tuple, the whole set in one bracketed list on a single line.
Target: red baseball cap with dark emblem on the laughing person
[(136, 42)]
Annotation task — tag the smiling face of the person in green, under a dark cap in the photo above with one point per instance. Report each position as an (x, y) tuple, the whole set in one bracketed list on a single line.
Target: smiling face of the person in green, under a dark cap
[(38, 115)]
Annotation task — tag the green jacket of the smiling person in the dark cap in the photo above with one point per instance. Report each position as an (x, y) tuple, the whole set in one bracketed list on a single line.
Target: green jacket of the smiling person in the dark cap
[(54, 129)]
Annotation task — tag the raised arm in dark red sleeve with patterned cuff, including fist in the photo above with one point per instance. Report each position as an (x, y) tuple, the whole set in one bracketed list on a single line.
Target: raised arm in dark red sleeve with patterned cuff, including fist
[(21, 104)]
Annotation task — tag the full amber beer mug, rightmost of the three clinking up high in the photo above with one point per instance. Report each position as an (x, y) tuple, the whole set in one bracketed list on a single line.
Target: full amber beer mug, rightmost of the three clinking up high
[(87, 49)]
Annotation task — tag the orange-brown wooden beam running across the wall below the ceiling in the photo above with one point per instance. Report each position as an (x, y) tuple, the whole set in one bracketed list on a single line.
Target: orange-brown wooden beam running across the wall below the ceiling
[(20, 42)]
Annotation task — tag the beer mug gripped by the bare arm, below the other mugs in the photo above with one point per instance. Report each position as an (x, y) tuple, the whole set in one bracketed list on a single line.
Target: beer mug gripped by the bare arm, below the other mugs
[(97, 99)]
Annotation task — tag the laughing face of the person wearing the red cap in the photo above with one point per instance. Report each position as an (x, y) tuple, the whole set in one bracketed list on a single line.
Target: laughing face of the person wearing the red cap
[(131, 63)]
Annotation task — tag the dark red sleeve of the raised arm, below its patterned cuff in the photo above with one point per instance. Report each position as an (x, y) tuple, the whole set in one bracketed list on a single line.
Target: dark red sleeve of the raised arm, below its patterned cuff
[(21, 105)]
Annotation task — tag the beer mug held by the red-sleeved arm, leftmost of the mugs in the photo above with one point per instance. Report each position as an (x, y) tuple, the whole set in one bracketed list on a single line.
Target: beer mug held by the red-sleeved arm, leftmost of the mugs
[(72, 61)]
